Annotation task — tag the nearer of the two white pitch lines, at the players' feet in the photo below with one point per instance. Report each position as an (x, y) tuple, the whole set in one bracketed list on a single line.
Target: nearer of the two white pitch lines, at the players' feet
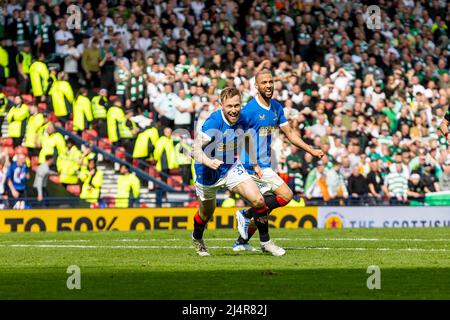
[(215, 247)]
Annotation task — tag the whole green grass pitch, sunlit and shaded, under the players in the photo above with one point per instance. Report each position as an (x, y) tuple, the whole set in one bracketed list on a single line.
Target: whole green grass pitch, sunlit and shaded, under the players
[(319, 264)]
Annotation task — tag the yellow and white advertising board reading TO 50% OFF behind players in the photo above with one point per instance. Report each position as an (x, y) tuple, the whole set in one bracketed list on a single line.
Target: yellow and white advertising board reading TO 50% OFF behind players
[(99, 220)]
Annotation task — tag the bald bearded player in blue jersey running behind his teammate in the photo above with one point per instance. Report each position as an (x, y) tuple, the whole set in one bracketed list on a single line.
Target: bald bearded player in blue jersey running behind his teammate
[(265, 117)]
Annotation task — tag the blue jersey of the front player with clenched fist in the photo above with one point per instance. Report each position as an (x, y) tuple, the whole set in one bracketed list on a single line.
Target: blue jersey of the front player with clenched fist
[(223, 145)]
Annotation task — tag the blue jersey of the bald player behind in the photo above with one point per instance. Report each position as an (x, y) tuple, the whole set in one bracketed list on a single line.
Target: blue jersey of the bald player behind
[(262, 122)]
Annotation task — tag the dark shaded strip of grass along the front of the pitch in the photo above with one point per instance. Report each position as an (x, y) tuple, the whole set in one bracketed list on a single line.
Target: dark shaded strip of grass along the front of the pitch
[(259, 283)]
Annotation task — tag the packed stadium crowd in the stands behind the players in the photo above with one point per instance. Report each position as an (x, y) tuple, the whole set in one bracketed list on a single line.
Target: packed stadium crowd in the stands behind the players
[(132, 71)]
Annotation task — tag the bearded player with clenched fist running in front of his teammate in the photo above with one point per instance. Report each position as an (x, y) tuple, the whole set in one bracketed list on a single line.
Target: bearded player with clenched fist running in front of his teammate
[(215, 152)]
